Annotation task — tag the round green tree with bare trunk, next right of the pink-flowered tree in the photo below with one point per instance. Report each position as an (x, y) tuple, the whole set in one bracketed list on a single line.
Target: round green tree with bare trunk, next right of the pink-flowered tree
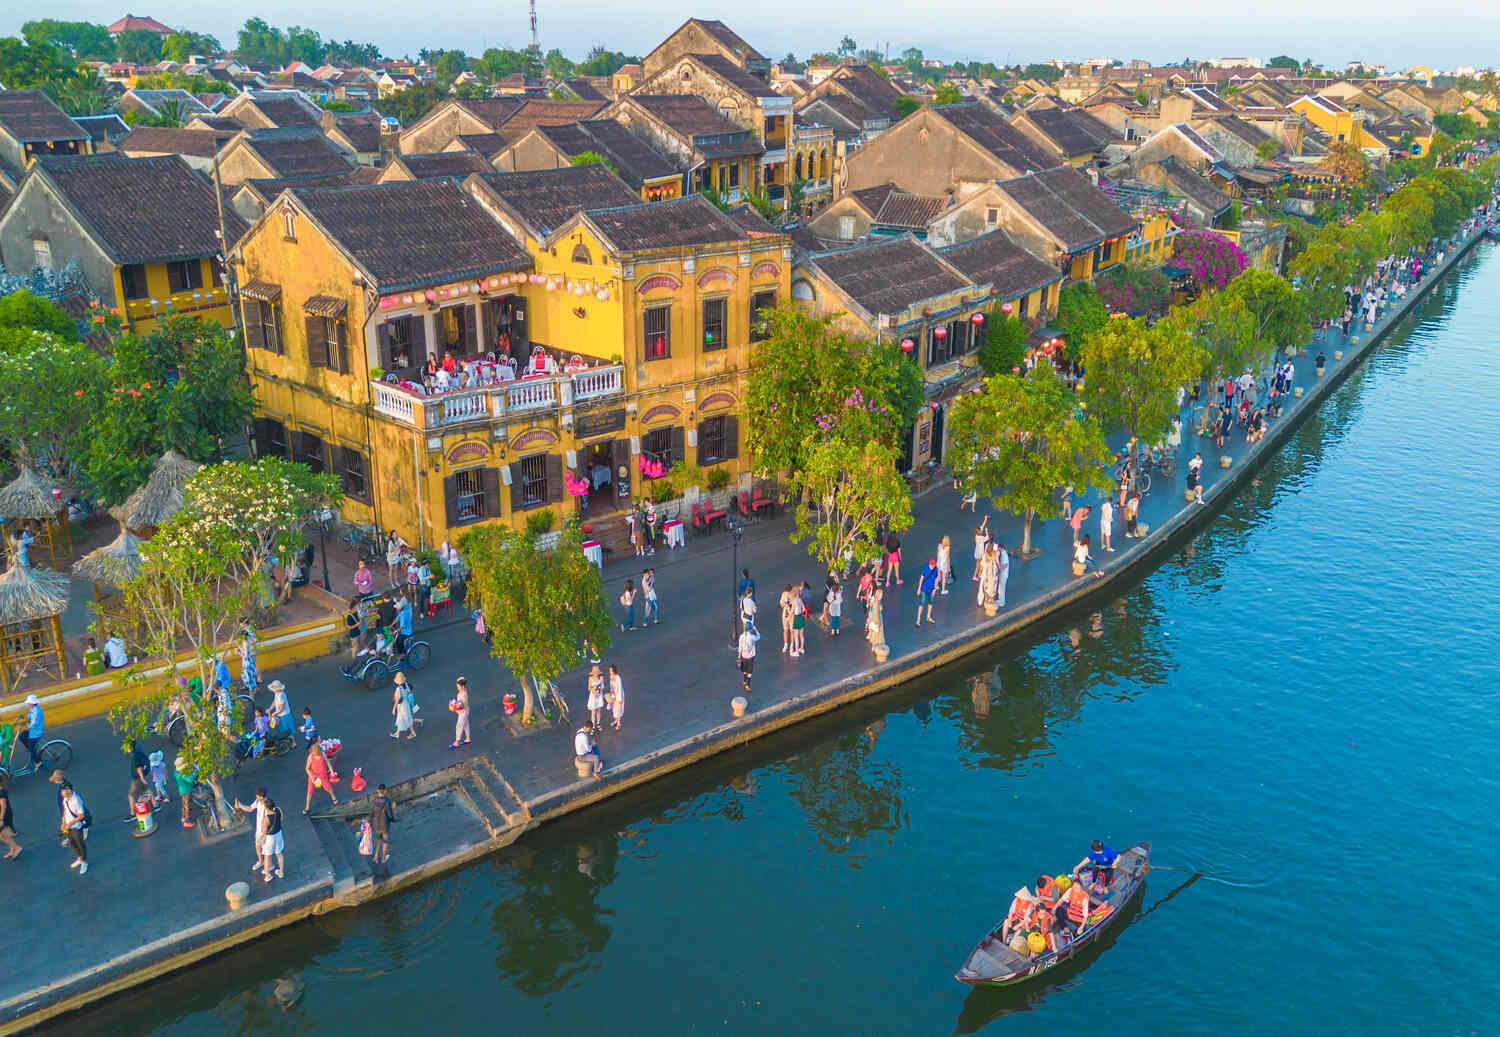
[(1021, 442)]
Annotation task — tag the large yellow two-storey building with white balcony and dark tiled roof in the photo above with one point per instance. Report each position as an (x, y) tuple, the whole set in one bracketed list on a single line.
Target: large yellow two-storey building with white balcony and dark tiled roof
[(626, 329)]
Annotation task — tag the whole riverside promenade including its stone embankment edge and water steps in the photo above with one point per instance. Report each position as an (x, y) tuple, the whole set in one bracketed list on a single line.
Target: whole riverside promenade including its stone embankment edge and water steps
[(152, 906)]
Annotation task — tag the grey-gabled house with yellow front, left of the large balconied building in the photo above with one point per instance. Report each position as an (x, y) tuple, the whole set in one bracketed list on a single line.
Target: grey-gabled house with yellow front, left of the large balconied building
[(143, 235)]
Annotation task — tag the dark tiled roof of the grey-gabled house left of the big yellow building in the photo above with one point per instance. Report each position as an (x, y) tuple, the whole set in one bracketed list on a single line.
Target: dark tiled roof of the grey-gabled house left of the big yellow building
[(142, 211)]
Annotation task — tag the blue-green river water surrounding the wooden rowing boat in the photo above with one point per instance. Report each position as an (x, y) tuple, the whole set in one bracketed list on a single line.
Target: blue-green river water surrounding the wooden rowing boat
[(1297, 705)]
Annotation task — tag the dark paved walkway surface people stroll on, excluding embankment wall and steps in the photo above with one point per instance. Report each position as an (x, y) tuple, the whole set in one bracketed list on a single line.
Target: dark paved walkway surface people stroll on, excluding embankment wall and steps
[(679, 678)]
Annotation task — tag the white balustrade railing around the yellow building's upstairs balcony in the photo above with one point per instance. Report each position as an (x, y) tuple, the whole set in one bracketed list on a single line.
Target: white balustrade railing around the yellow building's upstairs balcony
[(497, 401)]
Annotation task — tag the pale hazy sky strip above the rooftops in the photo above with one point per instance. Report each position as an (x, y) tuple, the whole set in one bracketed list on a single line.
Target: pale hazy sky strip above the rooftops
[(1333, 32)]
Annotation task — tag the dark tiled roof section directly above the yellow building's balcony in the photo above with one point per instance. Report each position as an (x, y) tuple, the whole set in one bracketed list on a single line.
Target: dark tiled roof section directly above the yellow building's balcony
[(415, 233)]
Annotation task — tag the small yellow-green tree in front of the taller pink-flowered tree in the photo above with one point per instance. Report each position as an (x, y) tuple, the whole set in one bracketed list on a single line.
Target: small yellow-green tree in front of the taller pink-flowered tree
[(856, 487)]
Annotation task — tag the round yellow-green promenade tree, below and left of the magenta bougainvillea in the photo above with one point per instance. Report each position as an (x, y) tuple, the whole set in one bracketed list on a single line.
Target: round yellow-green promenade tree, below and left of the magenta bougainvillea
[(1135, 373)]
